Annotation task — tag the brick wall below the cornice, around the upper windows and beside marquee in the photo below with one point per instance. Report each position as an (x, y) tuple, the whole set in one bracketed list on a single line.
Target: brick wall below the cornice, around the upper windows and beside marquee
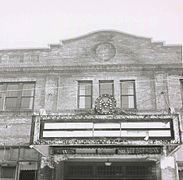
[(58, 92)]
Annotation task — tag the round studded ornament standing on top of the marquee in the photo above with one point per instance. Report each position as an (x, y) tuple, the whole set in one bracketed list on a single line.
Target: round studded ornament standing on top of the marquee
[(105, 104)]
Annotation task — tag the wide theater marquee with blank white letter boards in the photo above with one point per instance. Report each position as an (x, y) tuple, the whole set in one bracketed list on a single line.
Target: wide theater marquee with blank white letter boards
[(94, 130)]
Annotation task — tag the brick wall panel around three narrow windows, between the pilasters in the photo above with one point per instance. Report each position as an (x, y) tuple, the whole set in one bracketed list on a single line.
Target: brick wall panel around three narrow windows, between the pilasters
[(145, 94)]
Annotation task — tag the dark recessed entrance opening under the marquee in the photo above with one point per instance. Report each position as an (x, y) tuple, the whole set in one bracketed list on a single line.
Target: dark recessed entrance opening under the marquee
[(116, 170)]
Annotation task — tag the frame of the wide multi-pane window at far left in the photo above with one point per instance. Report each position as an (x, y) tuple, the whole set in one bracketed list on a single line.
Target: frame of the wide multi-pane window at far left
[(20, 96)]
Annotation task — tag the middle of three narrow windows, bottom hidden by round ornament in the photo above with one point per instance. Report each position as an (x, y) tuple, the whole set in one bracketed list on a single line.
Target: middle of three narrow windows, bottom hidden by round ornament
[(106, 87)]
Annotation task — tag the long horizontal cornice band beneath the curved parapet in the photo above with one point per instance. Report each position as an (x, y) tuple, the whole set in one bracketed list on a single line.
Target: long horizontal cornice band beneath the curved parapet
[(93, 68)]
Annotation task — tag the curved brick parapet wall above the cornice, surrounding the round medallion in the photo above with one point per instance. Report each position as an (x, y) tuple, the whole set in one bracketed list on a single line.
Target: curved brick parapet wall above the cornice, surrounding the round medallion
[(82, 51)]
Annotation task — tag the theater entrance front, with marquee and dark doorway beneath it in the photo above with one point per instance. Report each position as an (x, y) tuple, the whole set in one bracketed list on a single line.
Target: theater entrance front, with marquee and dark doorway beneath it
[(71, 156)]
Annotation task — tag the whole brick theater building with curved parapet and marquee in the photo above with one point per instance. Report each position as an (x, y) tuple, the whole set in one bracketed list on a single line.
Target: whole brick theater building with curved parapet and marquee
[(107, 105)]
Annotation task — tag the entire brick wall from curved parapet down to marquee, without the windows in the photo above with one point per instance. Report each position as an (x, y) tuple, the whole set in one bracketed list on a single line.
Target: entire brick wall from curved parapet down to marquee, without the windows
[(56, 85)]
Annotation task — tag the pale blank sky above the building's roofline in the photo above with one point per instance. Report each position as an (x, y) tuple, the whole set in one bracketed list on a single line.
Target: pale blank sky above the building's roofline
[(38, 23)]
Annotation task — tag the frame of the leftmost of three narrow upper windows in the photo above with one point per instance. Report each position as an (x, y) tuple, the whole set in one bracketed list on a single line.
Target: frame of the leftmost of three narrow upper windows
[(78, 94)]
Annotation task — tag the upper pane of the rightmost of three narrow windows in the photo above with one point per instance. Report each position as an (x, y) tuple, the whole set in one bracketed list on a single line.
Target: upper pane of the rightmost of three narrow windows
[(127, 88)]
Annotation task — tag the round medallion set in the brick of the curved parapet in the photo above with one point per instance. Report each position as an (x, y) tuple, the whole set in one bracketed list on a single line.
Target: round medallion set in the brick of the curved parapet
[(105, 51)]
